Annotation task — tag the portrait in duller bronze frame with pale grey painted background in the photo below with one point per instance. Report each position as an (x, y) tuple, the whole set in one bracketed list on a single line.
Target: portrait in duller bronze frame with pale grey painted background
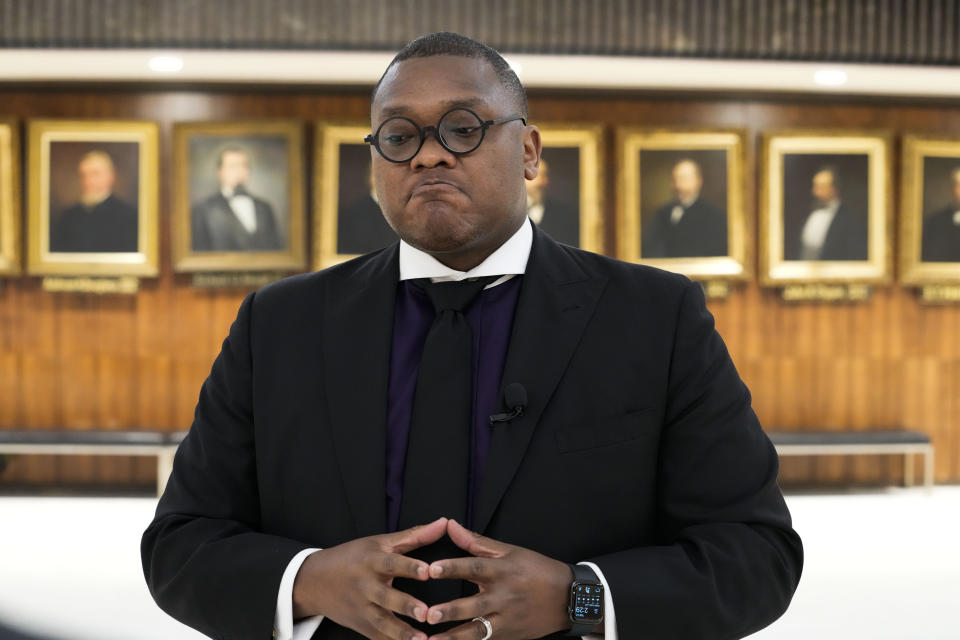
[(238, 193)]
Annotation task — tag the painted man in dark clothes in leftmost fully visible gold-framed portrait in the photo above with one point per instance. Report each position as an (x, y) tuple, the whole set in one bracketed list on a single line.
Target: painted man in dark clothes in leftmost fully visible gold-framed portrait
[(100, 222)]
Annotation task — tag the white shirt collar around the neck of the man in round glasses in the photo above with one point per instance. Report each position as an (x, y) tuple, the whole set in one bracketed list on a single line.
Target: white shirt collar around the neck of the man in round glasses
[(509, 259)]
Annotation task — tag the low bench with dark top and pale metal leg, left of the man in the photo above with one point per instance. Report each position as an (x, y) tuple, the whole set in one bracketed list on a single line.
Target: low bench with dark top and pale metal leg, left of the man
[(159, 444)]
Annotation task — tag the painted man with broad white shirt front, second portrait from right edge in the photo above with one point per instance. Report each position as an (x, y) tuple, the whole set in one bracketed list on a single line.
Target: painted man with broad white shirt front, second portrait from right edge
[(831, 231)]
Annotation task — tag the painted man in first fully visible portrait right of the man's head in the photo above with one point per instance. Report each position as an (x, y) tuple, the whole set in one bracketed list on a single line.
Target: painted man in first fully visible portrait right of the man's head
[(688, 226)]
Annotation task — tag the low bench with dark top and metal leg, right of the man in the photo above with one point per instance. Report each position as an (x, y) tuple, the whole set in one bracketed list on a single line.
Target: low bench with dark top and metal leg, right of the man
[(851, 443)]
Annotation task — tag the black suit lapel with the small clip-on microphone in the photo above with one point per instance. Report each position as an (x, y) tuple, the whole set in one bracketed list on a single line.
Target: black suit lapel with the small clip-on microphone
[(557, 298)]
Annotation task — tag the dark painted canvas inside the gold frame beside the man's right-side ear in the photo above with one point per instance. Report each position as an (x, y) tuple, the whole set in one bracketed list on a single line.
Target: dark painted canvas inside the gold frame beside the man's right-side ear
[(554, 206)]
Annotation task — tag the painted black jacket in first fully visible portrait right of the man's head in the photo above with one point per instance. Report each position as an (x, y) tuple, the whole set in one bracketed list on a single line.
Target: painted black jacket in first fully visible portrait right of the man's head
[(701, 232)]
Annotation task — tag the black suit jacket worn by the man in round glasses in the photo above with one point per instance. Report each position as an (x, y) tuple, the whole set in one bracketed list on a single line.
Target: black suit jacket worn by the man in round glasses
[(638, 450)]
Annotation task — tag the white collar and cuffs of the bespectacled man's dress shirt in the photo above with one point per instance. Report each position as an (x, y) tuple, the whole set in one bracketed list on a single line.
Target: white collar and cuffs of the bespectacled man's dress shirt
[(508, 261)]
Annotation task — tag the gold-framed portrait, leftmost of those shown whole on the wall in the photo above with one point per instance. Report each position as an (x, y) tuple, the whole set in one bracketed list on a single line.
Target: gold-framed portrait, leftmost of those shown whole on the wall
[(92, 198)]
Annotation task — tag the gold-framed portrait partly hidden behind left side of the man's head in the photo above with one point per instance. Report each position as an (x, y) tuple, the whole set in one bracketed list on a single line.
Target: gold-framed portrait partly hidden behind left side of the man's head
[(347, 219)]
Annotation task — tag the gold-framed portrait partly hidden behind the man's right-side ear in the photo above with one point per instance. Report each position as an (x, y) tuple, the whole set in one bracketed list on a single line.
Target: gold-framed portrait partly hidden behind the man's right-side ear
[(565, 199)]
